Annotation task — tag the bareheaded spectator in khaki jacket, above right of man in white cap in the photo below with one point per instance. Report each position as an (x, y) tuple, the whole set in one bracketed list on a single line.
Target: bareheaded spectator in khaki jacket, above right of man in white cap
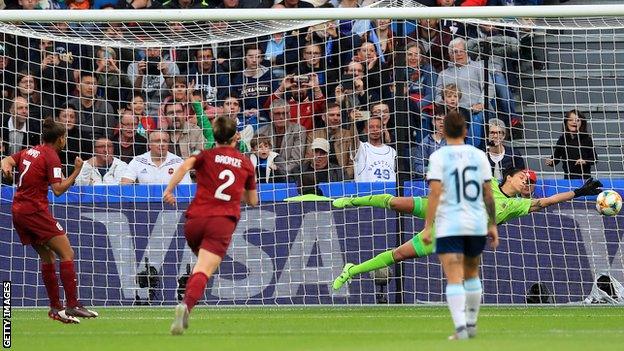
[(341, 141)]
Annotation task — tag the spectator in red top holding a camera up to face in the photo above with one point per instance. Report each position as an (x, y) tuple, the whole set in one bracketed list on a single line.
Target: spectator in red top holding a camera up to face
[(304, 97)]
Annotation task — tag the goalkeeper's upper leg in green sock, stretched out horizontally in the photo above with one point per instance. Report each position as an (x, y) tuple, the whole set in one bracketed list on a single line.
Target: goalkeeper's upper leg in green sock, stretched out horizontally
[(410, 205)]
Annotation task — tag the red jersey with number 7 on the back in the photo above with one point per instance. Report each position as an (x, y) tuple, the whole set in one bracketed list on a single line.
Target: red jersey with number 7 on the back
[(38, 167)]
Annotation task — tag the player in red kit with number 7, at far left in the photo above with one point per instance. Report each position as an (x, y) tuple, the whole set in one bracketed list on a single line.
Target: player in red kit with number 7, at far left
[(39, 167)]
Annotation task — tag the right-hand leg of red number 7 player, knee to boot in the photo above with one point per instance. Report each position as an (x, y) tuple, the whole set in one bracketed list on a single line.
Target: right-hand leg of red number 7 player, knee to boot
[(61, 246)]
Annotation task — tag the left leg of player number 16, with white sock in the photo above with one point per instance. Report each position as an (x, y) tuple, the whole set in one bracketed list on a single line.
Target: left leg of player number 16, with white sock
[(450, 254)]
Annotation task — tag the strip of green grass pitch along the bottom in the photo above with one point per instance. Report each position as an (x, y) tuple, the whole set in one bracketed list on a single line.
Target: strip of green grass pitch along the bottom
[(325, 328)]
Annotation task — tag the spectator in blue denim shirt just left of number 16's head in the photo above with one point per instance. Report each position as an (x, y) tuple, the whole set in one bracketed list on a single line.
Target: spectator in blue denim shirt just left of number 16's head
[(432, 142)]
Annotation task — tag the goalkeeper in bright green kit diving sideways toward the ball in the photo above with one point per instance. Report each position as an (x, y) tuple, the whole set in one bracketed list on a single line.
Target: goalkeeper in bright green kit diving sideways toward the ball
[(507, 202)]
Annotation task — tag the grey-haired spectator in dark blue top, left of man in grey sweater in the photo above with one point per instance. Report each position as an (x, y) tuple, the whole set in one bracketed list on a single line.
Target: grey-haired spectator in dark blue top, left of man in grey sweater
[(421, 79)]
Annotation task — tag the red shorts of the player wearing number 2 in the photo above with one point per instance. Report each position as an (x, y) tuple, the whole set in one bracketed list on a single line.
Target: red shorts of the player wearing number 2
[(210, 233)]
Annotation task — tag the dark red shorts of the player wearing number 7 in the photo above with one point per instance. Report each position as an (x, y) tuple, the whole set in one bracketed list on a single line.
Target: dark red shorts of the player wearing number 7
[(36, 228)]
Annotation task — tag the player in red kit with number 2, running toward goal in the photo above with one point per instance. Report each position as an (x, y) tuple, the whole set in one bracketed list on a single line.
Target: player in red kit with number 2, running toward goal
[(224, 178)]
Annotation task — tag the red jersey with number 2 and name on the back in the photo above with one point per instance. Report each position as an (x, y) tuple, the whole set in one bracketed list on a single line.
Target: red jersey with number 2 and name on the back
[(222, 175)]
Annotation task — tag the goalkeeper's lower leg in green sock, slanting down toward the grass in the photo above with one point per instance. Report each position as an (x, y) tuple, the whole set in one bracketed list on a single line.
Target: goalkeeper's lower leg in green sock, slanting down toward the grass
[(411, 249)]
